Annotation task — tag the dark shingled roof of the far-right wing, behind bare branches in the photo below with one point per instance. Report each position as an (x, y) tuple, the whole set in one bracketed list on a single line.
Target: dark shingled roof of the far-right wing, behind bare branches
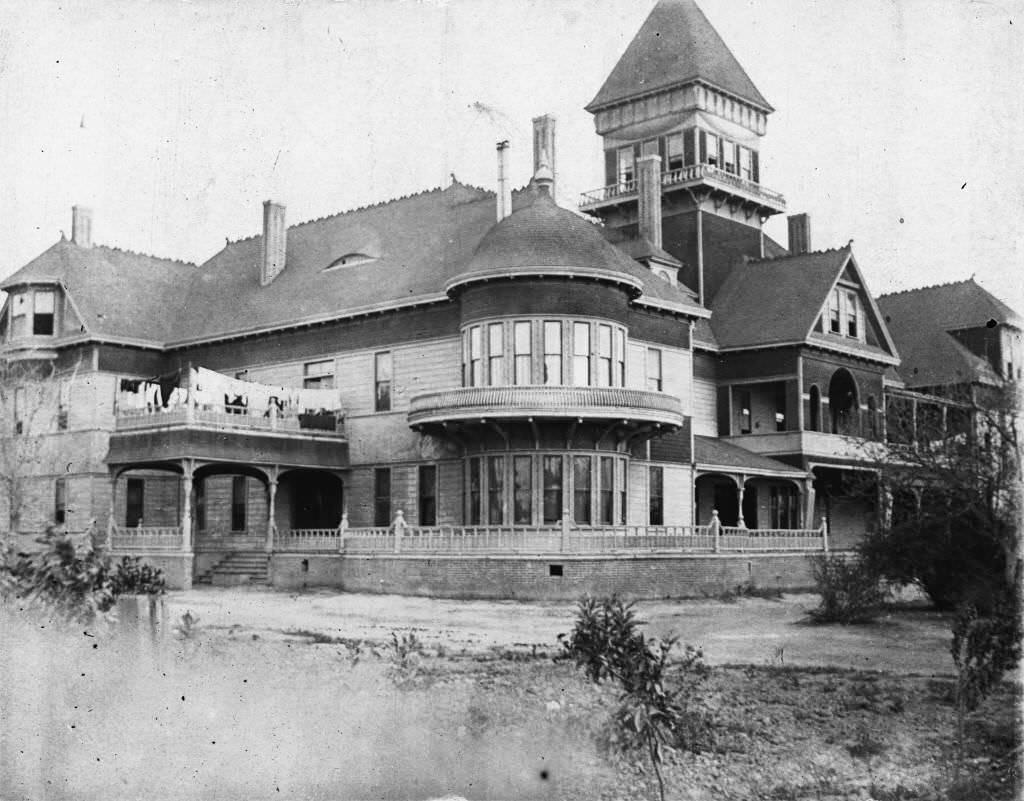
[(920, 321)]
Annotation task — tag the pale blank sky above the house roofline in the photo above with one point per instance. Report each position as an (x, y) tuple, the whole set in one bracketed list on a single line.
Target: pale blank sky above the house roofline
[(900, 123)]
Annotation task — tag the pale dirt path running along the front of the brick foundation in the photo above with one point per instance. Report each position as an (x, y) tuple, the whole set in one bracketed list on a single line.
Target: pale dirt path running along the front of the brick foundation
[(745, 631)]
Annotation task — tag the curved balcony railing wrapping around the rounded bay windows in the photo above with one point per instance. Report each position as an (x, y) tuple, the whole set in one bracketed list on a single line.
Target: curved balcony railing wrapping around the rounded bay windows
[(519, 402)]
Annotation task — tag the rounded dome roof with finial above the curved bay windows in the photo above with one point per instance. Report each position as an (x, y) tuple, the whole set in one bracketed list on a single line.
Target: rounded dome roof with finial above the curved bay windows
[(541, 238)]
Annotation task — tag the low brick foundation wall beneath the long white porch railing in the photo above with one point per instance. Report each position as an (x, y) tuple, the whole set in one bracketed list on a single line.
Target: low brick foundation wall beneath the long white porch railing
[(529, 578)]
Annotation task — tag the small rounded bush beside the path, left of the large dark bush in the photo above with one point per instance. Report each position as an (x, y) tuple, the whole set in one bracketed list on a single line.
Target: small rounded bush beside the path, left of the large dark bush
[(850, 591)]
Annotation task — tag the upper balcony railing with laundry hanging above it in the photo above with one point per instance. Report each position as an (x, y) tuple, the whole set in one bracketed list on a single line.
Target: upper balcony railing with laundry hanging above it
[(230, 417)]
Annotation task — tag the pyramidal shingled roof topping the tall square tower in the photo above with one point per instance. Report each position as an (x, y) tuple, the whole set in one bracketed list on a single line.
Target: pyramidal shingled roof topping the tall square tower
[(676, 46)]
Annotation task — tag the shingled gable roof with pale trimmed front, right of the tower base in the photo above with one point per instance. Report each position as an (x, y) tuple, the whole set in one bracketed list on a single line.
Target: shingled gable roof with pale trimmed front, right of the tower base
[(778, 302)]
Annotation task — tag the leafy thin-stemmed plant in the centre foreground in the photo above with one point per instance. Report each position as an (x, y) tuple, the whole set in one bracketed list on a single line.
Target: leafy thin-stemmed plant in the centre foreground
[(607, 643)]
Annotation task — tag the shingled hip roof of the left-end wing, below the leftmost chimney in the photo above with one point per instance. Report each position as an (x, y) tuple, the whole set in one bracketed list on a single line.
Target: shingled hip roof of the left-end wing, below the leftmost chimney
[(118, 293)]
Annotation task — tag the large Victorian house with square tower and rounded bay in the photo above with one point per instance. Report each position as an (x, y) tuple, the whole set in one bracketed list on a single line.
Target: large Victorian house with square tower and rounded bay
[(463, 366)]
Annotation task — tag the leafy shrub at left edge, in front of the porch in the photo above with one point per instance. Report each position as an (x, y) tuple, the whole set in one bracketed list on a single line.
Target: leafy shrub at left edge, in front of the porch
[(75, 583)]
